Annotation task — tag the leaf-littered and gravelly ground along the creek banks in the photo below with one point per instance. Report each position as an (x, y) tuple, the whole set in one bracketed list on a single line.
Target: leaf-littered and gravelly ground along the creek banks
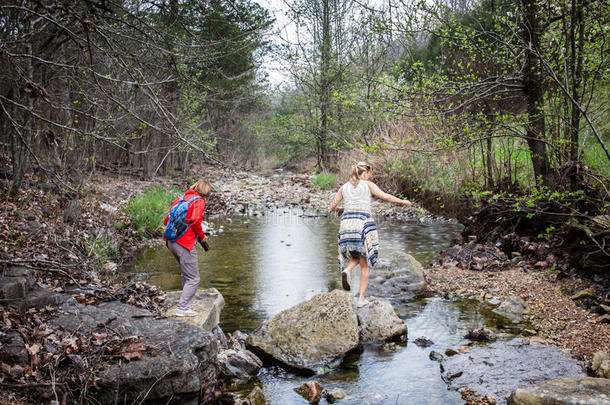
[(58, 238)]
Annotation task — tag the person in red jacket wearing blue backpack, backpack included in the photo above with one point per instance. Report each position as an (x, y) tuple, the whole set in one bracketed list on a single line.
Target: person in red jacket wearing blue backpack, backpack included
[(180, 239)]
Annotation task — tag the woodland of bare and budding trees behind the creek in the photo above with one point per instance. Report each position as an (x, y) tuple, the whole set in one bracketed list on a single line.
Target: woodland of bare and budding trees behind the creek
[(494, 111)]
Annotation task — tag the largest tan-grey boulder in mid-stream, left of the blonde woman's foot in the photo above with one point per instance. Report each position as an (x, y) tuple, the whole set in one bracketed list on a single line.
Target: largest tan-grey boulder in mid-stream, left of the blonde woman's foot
[(310, 335)]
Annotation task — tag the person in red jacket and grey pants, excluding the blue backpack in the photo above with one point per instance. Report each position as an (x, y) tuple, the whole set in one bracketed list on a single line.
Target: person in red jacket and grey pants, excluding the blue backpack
[(183, 248)]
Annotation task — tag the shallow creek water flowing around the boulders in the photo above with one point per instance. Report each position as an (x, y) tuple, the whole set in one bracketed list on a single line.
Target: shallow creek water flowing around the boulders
[(263, 265)]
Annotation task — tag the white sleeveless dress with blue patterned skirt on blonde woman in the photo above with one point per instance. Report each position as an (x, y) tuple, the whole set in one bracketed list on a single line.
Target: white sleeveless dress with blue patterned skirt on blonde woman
[(357, 233)]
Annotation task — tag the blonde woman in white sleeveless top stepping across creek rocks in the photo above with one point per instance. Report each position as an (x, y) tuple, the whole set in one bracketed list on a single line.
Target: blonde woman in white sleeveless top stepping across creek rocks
[(358, 239)]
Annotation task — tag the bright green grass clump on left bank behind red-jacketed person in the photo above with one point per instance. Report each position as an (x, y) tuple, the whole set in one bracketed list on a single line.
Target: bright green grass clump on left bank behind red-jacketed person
[(148, 210)]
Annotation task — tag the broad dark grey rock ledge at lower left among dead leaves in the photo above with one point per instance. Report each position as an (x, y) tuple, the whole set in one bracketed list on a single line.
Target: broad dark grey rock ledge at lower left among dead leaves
[(183, 355)]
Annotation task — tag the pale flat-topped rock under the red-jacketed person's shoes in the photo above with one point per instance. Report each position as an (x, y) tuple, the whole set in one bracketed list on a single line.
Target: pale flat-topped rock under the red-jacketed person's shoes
[(208, 304)]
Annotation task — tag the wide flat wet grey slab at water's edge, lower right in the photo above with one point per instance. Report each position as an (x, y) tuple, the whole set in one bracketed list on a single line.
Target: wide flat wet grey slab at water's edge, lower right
[(499, 368)]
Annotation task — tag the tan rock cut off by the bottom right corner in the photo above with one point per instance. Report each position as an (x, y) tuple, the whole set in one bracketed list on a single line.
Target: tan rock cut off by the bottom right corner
[(568, 391)]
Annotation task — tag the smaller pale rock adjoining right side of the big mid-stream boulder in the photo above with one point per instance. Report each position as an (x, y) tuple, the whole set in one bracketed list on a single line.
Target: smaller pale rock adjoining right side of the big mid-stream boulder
[(378, 322)]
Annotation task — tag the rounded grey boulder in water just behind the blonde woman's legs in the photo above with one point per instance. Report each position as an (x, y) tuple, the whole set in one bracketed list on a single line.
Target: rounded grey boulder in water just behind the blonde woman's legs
[(402, 277)]
